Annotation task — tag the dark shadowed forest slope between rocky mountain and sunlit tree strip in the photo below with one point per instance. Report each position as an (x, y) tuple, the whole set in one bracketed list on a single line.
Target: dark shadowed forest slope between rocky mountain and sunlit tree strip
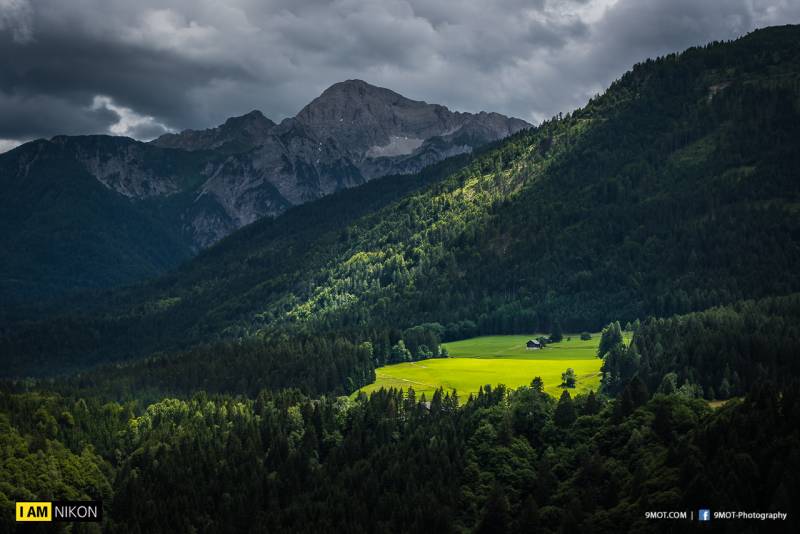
[(87, 329)]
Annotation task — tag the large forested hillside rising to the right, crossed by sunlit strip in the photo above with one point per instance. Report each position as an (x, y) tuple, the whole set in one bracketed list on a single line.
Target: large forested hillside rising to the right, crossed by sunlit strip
[(676, 190)]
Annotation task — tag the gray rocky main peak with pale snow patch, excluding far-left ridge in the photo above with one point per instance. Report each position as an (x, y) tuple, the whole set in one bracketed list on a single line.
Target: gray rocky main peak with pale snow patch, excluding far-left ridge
[(353, 132)]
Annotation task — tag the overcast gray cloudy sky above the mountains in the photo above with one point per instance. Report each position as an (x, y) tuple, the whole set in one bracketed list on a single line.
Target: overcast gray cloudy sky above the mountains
[(140, 68)]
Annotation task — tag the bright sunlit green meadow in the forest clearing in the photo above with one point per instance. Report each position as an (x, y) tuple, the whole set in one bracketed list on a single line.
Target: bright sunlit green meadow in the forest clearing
[(496, 360)]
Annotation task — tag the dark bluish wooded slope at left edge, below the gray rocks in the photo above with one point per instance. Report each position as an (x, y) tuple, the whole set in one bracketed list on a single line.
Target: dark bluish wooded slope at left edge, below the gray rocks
[(102, 238)]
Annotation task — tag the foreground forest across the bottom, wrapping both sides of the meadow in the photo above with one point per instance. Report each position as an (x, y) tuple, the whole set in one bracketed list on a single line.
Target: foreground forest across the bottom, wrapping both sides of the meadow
[(189, 443)]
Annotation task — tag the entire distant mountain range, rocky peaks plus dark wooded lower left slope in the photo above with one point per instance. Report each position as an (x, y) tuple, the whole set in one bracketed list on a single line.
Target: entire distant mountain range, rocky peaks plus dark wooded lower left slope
[(96, 211)]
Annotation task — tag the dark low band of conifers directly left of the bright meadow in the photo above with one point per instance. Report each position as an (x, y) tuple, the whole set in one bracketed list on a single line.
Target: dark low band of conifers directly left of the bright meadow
[(314, 366)]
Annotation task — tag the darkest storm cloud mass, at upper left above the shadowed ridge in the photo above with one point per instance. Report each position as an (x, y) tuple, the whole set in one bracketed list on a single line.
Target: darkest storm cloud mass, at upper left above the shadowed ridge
[(61, 67)]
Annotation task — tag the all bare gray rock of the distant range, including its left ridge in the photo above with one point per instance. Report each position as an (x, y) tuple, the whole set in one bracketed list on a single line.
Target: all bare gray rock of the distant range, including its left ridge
[(212, 182)]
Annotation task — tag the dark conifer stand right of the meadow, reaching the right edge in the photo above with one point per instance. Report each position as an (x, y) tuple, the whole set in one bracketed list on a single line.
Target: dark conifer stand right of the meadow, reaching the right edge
[(728, 349)]
